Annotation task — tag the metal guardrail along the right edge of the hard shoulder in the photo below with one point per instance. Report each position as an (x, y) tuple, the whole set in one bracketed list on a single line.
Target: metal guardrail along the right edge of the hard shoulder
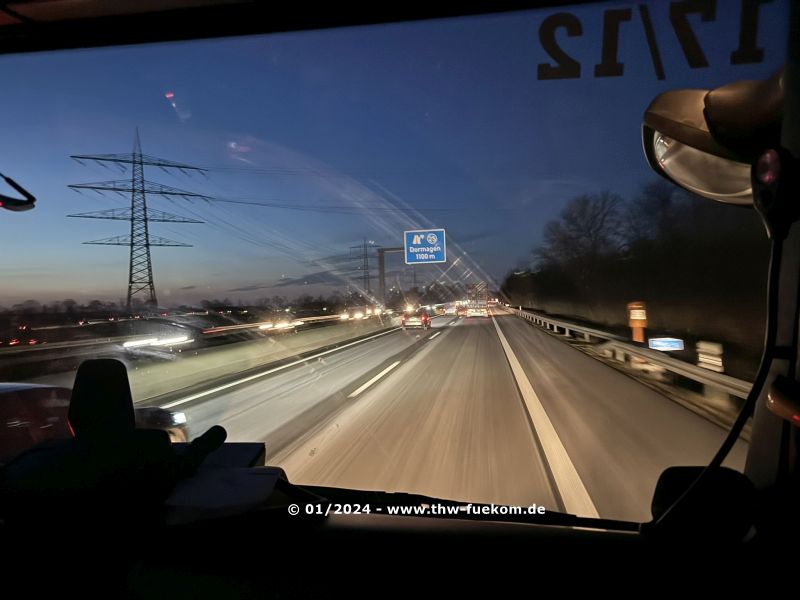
[(623, 352)]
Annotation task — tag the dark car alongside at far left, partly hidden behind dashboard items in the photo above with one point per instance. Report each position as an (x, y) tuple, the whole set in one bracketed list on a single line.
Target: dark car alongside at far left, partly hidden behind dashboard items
[(32, 413)]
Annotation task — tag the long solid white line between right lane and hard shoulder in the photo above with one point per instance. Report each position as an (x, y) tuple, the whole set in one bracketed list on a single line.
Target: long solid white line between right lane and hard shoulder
[(574, 494)]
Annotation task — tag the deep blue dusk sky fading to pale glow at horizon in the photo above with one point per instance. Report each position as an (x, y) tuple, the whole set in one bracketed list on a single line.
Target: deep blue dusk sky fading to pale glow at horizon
[(355, 133)]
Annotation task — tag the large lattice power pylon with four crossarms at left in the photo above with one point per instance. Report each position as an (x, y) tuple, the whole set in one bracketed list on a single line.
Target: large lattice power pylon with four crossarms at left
[(140, 273)]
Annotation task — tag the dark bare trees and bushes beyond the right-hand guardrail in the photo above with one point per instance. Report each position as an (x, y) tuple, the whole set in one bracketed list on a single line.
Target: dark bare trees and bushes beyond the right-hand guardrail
[(699, 265)]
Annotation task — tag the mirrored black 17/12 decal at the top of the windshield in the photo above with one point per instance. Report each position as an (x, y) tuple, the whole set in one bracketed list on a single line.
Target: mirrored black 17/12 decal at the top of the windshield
[(566, 67)]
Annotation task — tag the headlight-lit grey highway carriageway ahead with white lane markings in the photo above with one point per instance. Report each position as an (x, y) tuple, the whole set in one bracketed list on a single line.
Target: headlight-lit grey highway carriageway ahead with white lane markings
[(477, 410)]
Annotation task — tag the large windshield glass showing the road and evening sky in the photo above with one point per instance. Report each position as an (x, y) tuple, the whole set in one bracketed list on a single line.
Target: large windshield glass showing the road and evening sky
[(246, 222)]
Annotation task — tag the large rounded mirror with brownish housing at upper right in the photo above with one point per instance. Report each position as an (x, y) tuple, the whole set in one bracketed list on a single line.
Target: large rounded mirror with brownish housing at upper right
[(707, 141)]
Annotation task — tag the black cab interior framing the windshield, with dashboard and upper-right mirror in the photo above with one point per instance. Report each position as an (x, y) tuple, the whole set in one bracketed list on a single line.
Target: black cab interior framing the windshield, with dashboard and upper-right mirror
[(209, 519)]
